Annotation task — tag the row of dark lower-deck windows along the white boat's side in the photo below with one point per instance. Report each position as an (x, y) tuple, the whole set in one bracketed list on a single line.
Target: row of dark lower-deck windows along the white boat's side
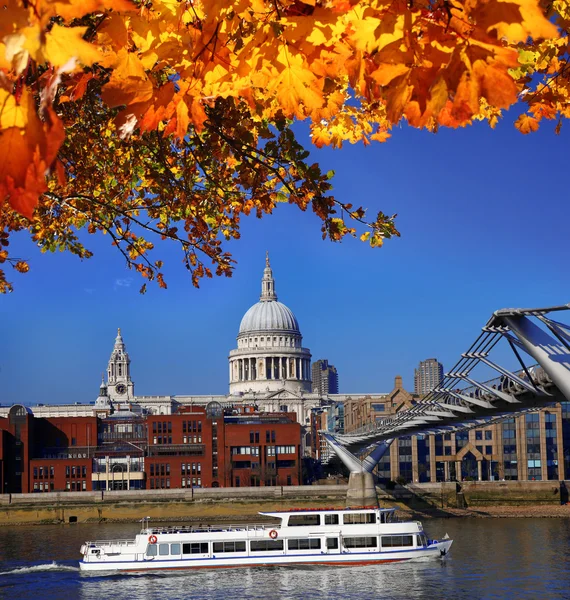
[(332, 543)]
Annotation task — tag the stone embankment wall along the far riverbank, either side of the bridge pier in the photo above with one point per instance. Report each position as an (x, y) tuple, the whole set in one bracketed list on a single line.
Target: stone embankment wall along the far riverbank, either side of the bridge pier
[(234, 504)]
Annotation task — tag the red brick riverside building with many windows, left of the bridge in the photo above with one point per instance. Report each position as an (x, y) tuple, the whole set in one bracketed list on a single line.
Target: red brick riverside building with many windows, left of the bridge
[(206, 446)]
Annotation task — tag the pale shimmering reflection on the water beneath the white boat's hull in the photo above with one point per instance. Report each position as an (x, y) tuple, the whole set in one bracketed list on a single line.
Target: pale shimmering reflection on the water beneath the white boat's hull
[(398, 581)]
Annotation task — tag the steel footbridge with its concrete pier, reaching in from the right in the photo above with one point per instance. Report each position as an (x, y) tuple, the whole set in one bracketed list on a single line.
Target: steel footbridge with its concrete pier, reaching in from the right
[(461, 401)]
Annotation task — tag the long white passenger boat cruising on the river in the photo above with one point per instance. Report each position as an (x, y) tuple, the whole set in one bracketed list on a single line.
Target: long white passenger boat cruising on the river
[(351, 536)]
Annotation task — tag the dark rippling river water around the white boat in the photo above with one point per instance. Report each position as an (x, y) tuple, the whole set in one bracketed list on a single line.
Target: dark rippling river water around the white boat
[(490, 558)]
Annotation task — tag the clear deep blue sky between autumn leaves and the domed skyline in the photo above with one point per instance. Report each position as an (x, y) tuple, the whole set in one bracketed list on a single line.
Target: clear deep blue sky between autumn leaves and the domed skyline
[(484, 217)]
